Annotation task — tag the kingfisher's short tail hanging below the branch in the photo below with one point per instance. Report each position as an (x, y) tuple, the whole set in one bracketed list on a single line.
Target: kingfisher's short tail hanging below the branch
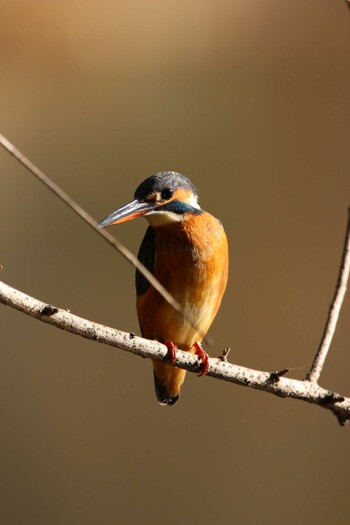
[(167, 382)]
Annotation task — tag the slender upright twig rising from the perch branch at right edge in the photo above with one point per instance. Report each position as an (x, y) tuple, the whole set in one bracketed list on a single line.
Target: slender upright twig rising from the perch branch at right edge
[(333, 315)]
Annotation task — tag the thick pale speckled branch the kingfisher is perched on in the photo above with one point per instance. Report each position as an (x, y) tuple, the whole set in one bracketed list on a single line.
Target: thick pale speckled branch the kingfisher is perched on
[(219, 368)]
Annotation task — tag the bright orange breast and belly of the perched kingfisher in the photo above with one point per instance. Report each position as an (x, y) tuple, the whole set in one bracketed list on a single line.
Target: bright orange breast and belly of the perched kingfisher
[(191, 261)]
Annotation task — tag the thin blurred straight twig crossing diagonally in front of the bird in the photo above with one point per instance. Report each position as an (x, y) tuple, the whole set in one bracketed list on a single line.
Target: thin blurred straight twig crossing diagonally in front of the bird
[(130, 257)]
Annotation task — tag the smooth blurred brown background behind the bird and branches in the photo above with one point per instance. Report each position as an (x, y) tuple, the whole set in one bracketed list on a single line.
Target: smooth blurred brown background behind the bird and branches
[(251, 101)]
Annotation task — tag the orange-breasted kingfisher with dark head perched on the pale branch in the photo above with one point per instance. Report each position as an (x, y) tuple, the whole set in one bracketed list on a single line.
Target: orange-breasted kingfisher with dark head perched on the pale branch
[(186, 249)]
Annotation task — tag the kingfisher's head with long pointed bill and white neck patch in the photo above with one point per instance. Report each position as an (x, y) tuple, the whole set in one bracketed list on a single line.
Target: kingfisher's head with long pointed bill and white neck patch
[(163, 198)]
